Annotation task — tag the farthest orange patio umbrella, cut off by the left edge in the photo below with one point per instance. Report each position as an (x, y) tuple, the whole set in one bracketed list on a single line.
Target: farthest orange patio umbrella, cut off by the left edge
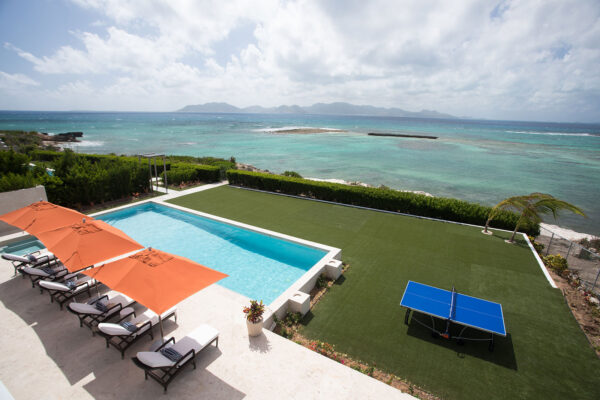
[(42, 216)]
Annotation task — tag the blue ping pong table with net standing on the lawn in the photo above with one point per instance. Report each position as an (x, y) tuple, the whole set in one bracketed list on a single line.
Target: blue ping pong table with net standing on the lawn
[(452, 307)]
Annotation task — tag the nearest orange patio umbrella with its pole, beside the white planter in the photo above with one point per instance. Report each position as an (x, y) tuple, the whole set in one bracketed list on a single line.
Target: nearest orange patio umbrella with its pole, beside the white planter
[(156, 279)]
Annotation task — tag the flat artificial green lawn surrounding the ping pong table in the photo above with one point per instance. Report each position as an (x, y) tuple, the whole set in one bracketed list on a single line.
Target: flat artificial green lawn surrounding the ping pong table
[(545, 355)]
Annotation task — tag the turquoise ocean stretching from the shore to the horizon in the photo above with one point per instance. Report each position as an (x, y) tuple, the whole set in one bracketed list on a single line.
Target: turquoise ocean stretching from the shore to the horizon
[(474, 160)]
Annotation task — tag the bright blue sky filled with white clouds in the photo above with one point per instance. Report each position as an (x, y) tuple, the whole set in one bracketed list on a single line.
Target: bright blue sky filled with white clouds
[(517, 60)]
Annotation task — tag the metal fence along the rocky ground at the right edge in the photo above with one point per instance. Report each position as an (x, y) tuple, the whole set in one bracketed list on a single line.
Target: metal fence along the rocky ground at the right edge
[(585, 262)]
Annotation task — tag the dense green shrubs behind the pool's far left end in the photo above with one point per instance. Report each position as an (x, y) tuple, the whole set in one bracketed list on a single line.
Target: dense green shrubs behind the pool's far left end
[(76, 180)]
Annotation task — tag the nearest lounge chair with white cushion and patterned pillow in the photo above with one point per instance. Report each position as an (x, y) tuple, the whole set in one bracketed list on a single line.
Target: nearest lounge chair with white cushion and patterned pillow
[(162, 368)]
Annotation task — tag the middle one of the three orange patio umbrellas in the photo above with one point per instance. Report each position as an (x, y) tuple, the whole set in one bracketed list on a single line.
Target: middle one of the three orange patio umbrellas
[(86, 243)]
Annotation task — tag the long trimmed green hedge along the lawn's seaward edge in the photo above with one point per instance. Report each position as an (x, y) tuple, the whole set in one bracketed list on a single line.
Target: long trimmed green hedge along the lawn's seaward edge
[(379, 198)]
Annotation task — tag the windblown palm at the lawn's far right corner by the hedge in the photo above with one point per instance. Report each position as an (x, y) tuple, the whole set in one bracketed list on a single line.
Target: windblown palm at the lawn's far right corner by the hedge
[(532, 207)]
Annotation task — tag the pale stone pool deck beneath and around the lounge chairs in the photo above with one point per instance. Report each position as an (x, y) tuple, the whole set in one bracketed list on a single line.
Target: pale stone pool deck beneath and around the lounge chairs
[(45, 354)]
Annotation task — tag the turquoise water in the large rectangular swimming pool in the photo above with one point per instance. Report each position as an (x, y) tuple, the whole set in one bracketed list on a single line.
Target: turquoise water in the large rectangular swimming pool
[(259, 266)]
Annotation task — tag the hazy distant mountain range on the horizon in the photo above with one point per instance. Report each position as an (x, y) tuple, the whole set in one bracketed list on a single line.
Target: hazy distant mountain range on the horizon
[(318, 108)]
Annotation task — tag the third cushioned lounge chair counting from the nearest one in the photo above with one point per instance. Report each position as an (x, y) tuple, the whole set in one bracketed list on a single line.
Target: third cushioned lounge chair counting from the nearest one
[(91, 314)]
